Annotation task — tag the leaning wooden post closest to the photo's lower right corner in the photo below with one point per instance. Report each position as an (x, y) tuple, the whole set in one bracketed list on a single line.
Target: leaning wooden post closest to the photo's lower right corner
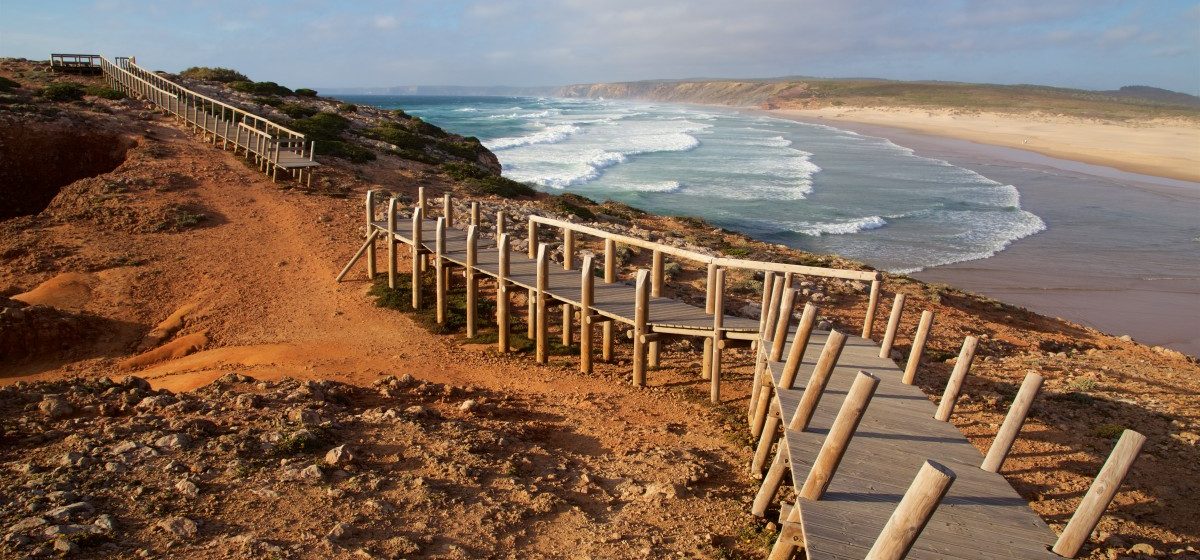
[(1100, 495)]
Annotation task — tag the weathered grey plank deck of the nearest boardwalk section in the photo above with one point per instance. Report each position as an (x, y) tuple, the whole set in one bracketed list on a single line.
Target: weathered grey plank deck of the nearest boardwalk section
[(982, 517)]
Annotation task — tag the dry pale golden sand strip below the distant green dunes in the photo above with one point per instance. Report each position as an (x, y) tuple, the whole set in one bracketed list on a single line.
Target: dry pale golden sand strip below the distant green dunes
[(1160, 148)]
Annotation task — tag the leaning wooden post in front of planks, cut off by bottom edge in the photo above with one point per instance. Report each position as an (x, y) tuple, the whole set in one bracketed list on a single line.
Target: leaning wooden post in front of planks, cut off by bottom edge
[(913, 514)]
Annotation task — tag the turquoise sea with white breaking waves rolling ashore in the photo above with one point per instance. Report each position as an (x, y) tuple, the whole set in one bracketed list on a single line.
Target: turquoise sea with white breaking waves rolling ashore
[(807, 186)]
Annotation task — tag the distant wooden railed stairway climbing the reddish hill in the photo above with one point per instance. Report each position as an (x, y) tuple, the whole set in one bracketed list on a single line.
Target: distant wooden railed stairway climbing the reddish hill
[(274, 147)]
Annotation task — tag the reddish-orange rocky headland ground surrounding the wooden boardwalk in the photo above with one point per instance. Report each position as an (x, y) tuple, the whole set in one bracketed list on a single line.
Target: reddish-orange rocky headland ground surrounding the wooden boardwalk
[(182, 264)]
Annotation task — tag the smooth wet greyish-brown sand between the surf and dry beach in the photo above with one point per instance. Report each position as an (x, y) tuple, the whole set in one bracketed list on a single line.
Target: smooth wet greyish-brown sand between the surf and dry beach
[(1121, 251)]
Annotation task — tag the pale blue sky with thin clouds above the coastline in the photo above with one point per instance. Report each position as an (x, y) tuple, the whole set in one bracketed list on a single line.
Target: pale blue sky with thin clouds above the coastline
[(1094, 45)]
